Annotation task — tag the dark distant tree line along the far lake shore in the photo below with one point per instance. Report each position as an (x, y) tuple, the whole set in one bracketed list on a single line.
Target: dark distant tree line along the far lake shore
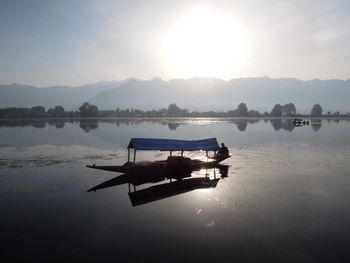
[(90, 110)]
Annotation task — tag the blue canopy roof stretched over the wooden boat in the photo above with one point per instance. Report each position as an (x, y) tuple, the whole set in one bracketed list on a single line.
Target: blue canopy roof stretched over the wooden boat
[(174, 145)]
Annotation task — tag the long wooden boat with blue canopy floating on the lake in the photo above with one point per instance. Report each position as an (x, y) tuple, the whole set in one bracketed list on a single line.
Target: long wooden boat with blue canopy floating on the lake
[(173, 164)]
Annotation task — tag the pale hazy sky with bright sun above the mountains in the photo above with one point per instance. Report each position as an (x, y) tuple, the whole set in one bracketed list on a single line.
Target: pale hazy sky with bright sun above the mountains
[(83, 41)]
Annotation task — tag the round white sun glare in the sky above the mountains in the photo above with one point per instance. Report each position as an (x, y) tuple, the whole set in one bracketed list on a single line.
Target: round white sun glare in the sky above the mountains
[(204, 43)]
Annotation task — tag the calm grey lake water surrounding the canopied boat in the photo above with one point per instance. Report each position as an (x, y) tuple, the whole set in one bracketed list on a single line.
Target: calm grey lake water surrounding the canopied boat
[(284, 196)]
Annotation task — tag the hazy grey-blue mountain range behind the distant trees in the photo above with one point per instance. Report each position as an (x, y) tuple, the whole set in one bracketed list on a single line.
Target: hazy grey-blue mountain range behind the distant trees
[(194, 94)]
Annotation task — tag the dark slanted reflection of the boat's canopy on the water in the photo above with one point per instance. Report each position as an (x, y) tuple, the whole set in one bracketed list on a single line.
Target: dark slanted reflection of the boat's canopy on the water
[(157, 192)]
